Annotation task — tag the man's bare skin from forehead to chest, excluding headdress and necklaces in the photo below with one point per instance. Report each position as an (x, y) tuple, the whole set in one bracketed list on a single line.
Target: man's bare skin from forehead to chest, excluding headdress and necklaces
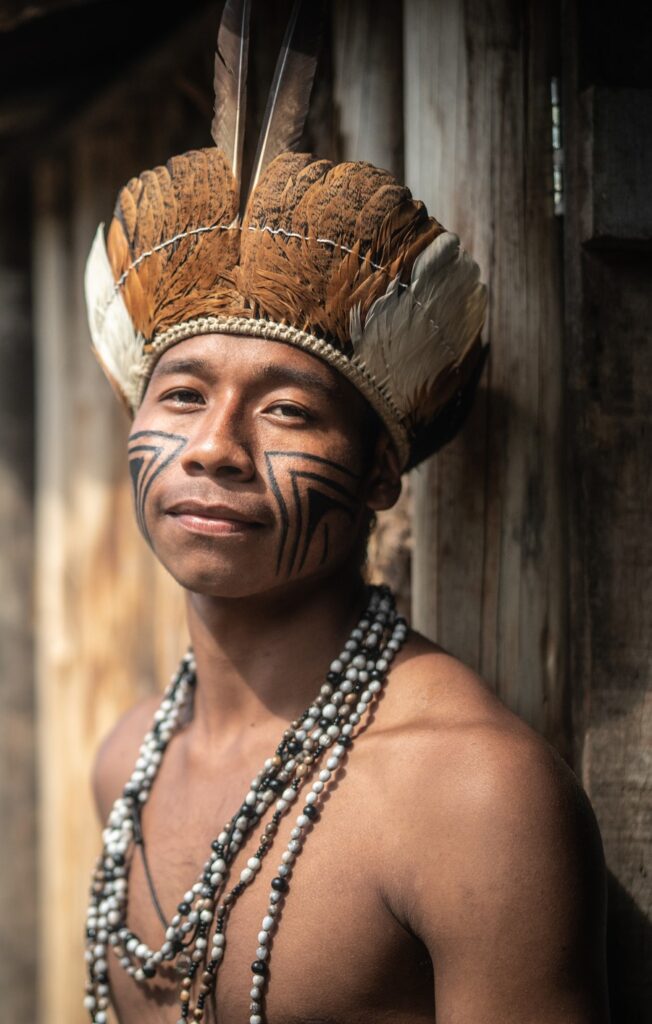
[(456, 873)]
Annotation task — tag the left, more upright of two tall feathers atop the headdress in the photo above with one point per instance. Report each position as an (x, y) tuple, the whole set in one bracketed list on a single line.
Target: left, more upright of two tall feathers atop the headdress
[(230, 83)]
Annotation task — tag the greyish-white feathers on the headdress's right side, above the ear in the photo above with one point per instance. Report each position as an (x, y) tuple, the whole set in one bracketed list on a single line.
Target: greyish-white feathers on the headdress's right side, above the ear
[(414, 333)]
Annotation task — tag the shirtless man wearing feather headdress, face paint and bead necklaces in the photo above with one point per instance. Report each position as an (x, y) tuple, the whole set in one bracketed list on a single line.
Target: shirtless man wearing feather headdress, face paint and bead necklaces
[(446, 866)]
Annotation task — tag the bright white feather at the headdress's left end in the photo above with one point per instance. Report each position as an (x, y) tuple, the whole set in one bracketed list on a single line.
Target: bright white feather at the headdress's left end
[(117, 344)]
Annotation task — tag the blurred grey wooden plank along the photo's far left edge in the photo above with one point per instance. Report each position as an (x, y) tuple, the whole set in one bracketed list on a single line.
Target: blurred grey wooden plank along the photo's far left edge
[(18, 751)]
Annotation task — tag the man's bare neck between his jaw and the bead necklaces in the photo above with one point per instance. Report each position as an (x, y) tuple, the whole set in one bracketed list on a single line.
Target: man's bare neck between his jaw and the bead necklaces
[(262, 661)]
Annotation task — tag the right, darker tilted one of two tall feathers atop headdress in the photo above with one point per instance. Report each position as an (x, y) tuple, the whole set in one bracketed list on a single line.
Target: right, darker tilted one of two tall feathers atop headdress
[(290, 94)]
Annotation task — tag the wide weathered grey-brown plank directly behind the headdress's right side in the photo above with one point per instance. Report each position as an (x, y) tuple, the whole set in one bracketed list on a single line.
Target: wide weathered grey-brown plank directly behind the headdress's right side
[(490, 577)]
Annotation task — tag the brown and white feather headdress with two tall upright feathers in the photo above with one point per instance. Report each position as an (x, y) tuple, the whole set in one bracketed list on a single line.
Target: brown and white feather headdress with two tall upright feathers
[(337, 260)]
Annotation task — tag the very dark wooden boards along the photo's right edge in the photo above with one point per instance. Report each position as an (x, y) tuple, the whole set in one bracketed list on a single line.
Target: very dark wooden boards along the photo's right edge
[(610, 369)]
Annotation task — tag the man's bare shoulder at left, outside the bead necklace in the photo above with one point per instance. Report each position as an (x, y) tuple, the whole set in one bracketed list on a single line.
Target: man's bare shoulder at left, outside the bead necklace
[(118, 754)]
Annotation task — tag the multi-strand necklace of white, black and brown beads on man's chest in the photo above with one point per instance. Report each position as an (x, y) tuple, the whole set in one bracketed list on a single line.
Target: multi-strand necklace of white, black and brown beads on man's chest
[(195, 938)]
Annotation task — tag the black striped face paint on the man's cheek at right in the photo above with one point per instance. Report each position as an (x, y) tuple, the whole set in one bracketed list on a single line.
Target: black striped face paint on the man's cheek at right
[(318, 486)]
